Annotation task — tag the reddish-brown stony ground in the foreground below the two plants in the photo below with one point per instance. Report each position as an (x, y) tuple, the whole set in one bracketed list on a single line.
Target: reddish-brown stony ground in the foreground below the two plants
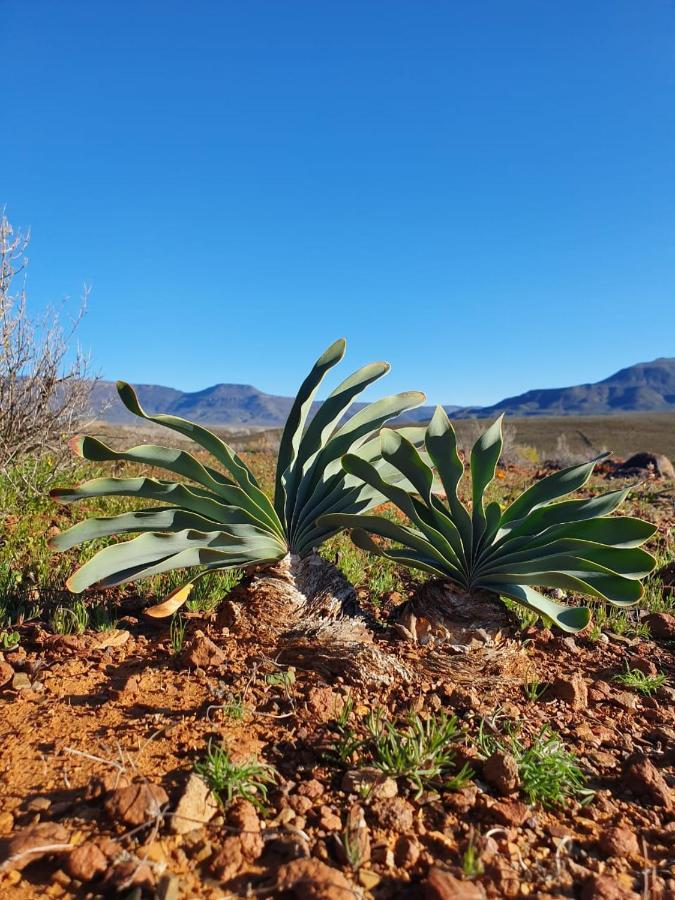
[(101, 732)]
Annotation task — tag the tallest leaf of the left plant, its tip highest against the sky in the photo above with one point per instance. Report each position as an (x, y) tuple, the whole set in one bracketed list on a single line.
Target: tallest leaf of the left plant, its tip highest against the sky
[(295, 424)]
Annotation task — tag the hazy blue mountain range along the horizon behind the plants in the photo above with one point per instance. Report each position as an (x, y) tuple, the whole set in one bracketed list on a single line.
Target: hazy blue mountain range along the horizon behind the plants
[(645, 387)]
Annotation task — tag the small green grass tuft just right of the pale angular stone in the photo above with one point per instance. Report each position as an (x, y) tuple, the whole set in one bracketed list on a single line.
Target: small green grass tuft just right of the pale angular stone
[(227, 780)]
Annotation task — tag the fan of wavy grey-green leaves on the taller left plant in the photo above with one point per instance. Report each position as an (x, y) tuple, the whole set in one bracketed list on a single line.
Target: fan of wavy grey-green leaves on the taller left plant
[(221, 518)]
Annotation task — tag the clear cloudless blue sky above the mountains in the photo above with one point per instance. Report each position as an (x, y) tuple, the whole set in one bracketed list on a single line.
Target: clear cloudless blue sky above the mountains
[(481, 193)]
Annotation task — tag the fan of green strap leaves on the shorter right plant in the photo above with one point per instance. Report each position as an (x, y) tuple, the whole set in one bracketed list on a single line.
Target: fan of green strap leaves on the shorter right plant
[(574, 544)]
